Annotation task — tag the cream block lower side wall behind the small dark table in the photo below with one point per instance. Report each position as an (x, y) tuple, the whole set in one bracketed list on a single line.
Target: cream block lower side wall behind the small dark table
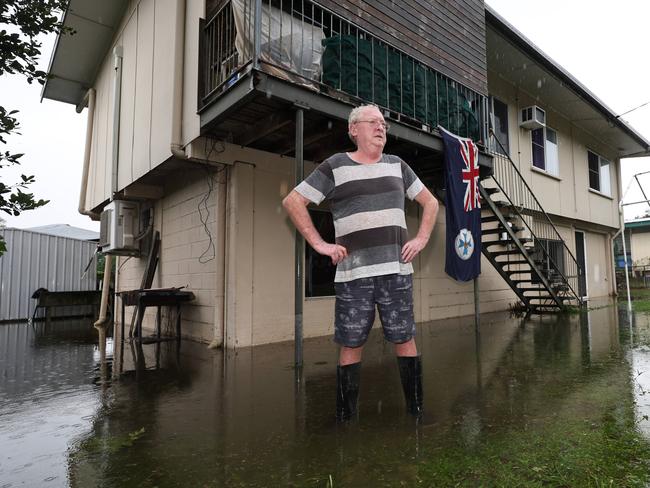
[(191, 222)]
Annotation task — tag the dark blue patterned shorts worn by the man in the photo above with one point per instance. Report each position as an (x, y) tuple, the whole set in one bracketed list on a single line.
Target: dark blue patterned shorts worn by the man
[(355, 309)]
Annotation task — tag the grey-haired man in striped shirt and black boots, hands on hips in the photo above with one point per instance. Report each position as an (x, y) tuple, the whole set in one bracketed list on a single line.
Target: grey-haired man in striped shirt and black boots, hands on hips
[(366, 190)]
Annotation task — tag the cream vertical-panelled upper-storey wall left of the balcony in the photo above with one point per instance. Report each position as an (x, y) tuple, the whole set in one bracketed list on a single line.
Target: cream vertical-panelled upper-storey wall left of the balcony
[(146, 35)]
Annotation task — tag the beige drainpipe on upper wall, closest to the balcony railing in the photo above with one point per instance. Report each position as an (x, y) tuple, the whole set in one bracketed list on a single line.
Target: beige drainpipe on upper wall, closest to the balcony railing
[(177, 148)]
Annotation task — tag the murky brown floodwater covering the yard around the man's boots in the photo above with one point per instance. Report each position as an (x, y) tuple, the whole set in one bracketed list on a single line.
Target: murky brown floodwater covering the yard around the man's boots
[(169, 415)]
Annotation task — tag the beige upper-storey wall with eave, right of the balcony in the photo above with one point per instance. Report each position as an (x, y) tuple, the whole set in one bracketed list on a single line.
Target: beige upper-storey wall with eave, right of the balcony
[(567, 195)]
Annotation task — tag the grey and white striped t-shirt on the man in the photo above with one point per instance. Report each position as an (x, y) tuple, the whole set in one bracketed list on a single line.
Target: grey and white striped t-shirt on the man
[(367, 204)]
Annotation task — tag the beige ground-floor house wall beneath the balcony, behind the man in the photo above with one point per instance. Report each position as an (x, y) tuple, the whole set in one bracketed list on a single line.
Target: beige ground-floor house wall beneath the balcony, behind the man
[(258, 268)]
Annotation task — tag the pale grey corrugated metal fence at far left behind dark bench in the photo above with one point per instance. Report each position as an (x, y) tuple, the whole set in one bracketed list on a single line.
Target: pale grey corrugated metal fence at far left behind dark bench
[(34, 260)]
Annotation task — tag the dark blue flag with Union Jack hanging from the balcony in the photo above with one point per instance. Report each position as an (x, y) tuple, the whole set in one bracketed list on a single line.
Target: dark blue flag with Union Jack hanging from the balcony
[(463, 207)]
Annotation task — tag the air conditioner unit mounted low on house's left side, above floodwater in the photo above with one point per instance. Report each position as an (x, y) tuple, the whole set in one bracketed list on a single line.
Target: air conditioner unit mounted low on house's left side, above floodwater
[(119, 227)]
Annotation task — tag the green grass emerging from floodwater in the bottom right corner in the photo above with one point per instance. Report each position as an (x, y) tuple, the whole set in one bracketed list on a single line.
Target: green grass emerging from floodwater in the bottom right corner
[(563, 453)]
